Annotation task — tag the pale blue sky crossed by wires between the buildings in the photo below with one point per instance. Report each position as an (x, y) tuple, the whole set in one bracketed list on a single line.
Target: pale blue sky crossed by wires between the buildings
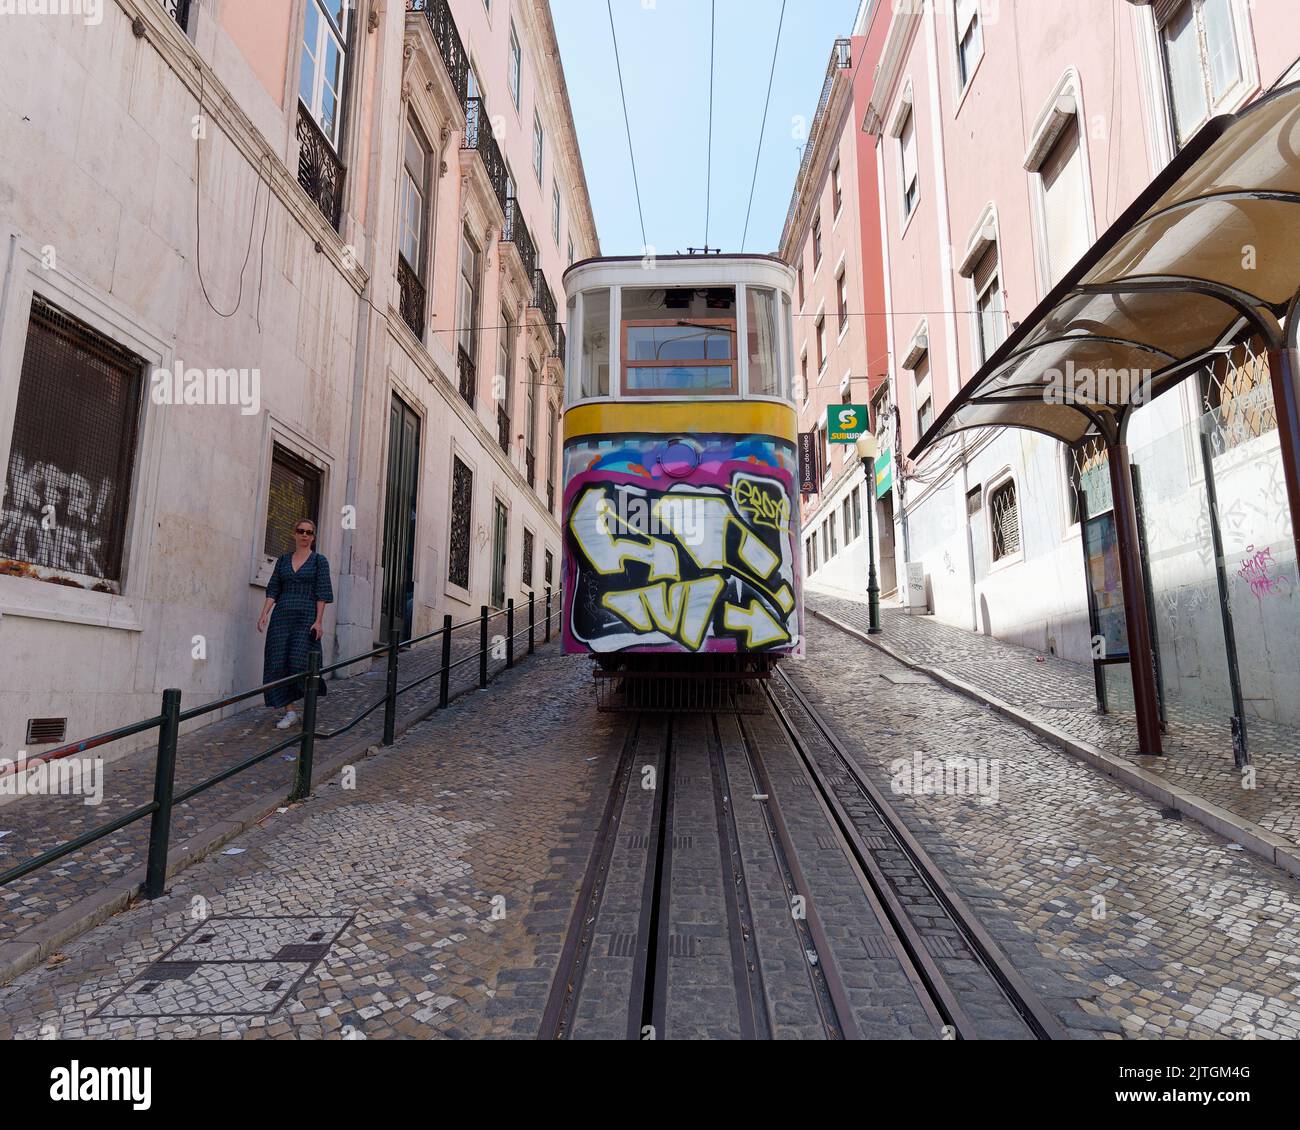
[(664, 46)]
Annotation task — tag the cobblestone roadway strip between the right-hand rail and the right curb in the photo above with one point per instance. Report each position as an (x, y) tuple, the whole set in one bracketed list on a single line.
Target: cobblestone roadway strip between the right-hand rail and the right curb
[(1126, 923)]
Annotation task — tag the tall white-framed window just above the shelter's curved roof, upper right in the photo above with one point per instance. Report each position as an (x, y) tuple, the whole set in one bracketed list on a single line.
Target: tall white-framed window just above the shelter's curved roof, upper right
[(1203, 60)]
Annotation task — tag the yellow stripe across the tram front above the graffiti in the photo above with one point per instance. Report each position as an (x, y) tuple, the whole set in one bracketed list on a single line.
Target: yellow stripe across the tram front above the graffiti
[(743, 418)]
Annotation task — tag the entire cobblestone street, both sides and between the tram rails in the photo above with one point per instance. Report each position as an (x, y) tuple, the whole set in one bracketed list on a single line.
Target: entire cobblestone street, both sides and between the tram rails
[(436, 899)]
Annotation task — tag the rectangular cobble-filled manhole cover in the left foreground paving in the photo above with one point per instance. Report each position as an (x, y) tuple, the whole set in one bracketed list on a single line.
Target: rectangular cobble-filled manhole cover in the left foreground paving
[(229, 967)]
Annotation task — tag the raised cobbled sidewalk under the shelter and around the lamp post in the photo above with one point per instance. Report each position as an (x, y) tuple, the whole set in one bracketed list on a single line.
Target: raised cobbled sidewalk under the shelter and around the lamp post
[(1199, 743)]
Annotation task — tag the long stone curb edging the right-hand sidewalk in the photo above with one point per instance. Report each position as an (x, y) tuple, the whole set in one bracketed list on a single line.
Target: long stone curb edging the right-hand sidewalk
[(1256, 839)]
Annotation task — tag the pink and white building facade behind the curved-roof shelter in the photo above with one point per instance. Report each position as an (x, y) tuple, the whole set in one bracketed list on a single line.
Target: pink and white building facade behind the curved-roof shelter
[(1008, 140)]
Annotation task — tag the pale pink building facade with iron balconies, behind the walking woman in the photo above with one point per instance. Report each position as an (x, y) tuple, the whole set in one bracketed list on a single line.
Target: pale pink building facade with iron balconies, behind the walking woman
[(271, 262)]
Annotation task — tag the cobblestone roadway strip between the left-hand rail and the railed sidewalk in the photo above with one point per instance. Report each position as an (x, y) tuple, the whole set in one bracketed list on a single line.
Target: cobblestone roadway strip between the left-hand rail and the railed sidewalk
[(430, 900)]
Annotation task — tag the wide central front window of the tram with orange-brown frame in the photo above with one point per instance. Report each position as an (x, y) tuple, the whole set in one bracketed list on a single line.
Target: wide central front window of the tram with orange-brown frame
[(679, 341)]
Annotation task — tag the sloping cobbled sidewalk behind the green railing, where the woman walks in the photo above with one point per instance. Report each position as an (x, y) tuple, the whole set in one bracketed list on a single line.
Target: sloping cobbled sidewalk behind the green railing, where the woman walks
[(32, 825)]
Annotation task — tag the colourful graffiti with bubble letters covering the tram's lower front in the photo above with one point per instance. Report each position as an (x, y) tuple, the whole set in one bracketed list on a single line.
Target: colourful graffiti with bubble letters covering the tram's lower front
[(682, 547)]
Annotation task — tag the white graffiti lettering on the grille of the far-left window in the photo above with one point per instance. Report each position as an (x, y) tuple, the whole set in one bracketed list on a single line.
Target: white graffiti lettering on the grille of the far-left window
[(55, 519)]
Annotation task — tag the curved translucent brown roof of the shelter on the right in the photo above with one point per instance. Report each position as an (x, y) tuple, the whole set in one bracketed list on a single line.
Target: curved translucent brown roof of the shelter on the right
[(1169, 287)]
